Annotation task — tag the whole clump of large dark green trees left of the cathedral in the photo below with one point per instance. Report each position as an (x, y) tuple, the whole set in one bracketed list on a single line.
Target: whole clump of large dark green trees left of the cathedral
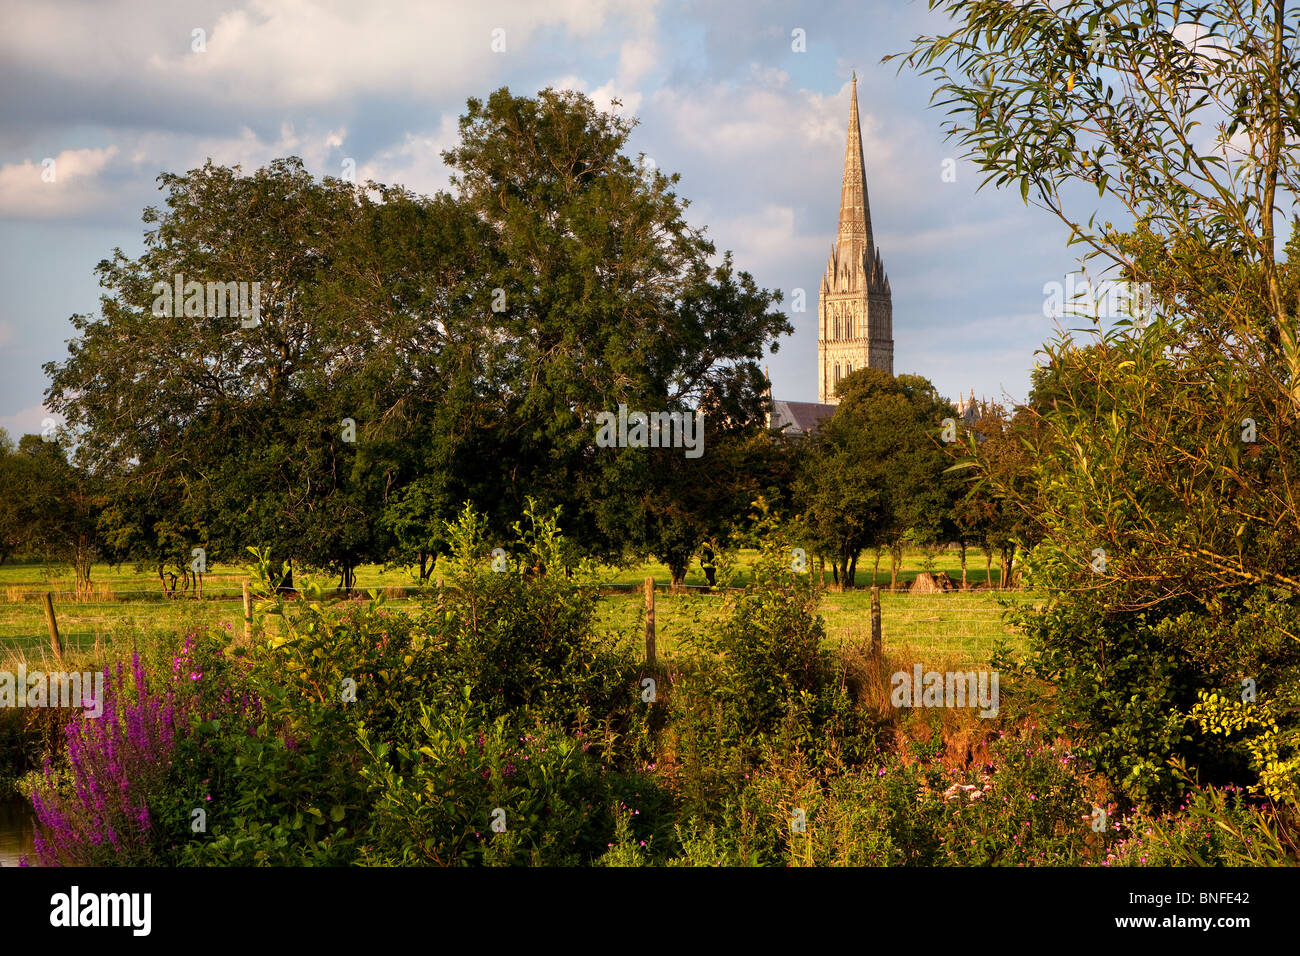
[(415, 353)]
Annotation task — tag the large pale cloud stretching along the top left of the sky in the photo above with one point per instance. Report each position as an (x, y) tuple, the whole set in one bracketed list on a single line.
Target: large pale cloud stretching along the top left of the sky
[(293, 53)]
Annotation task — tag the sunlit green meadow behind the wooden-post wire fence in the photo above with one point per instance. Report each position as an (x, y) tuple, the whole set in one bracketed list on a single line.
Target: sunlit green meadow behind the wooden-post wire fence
[(129, 607)]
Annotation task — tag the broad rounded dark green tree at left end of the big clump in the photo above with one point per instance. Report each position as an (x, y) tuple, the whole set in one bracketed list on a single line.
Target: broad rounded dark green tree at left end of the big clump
[(213, 418)]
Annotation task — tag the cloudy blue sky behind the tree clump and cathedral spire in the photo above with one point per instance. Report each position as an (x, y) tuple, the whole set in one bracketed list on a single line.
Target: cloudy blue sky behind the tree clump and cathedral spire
[(119, 92)]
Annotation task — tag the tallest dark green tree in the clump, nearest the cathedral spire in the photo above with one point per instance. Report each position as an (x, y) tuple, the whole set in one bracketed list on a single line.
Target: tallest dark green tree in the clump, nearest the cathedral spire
[(604, 295)]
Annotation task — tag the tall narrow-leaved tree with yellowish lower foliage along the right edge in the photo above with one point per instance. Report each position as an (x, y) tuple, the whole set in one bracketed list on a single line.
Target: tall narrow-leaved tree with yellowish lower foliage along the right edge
[(1164, 438)]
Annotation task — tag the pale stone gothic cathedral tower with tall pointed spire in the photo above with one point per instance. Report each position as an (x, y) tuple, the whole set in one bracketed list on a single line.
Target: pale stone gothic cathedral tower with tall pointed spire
[(856, 312)]
